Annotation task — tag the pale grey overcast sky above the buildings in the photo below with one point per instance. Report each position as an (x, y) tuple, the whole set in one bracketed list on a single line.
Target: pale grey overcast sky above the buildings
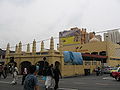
[(26, 20)]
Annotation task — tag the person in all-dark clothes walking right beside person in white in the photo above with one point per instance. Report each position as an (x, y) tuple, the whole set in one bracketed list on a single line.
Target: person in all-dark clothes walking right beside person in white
[(57, 74)]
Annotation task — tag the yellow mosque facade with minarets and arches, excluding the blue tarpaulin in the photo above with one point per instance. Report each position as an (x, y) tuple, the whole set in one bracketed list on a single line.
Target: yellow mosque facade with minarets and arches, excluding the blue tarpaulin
[(95, 53)]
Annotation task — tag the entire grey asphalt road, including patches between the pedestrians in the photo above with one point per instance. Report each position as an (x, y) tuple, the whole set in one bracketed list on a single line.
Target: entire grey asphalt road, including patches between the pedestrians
[(92, 82)]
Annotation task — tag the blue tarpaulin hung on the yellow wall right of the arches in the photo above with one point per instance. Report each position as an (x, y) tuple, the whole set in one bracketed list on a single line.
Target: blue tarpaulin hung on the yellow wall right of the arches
[(73, 57)]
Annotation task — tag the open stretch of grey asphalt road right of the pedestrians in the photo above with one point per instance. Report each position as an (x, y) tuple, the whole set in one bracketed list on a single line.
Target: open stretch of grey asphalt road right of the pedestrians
[(104, 82)]
